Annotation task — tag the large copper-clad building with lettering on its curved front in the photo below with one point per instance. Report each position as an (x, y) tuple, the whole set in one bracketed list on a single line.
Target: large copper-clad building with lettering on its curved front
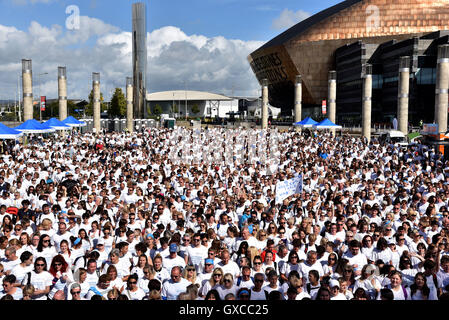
[(343, 38)]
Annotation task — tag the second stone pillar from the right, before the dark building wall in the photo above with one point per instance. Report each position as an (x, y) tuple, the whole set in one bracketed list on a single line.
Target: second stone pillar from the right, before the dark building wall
[(403, 87)]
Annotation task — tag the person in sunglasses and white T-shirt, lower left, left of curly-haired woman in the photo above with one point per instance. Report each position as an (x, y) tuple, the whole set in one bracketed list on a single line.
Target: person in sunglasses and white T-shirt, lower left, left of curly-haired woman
[(40, 278)]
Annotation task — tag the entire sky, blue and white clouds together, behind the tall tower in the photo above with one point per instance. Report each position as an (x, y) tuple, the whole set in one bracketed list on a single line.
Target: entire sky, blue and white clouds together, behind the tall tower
[(201, 44)]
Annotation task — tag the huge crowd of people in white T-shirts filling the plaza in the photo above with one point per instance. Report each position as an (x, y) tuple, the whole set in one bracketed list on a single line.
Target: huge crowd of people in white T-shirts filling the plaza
[(181, 214)]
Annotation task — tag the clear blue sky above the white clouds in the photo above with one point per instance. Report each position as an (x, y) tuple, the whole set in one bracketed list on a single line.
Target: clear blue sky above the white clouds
[(235, 19)]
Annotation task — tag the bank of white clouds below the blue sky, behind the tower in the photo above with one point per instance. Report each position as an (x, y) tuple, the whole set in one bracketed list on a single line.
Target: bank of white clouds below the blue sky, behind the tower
[(210, 64)]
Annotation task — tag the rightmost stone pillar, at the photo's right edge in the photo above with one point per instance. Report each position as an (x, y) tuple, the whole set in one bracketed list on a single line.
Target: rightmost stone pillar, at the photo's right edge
[(442, 86)]
